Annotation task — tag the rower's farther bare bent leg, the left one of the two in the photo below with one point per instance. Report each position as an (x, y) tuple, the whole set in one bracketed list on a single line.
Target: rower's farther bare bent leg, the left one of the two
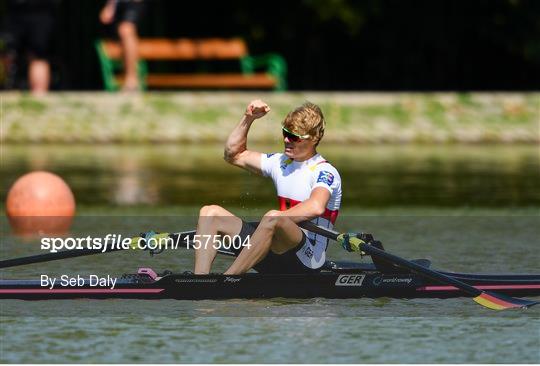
[(213, 220)]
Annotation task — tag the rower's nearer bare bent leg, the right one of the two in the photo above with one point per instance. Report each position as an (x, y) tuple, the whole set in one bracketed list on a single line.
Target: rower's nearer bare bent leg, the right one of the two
[(276, 233)]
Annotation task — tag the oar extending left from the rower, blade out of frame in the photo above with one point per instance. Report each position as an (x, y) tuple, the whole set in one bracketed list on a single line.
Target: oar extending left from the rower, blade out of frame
[(176, 237)]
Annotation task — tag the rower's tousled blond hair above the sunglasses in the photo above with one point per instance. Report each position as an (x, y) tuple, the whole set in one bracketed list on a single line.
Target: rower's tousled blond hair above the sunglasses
[(306, 120)]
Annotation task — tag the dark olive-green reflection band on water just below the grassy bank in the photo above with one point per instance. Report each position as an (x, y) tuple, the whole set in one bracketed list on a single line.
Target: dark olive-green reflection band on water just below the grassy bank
[(375, 176)]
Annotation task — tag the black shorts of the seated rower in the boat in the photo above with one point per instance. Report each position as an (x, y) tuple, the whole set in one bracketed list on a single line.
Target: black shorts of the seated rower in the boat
[(286, 263)]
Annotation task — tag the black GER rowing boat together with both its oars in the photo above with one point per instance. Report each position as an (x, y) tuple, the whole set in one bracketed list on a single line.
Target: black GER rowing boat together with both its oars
[(388, 276)]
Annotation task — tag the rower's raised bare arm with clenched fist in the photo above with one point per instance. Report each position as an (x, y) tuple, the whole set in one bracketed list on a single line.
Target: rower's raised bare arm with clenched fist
[(236, 152)]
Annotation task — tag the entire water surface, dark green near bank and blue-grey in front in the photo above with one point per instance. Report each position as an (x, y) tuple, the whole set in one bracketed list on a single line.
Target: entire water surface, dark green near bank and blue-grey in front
[(467, 209)]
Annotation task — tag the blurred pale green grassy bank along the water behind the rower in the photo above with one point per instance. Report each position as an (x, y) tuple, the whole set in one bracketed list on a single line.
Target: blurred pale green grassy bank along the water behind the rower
[(209, 116)]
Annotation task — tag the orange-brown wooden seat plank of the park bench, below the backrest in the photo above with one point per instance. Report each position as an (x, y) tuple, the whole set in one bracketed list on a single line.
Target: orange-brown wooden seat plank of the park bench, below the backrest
[(210, 81)]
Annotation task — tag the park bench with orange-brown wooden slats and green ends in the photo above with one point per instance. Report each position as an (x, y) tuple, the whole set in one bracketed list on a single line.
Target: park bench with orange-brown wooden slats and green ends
[(254, 72)]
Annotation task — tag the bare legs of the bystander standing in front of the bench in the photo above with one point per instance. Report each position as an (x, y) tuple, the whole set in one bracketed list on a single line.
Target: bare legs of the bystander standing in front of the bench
[(127, 32)]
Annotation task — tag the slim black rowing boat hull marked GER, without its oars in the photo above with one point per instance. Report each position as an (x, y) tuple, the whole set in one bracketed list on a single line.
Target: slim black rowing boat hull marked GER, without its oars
[(337, 280)]
